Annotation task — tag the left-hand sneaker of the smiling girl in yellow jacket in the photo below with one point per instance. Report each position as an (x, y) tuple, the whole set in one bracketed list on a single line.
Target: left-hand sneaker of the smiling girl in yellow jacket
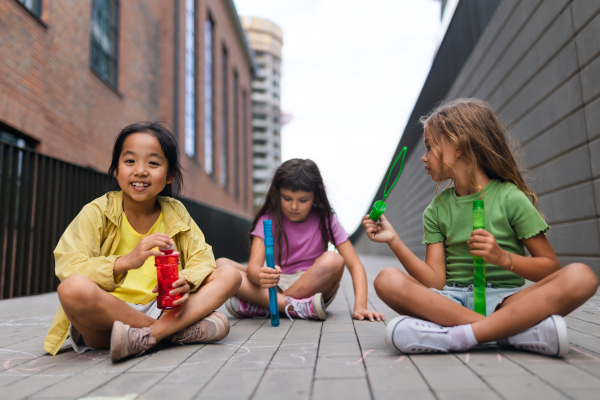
[(126, 341)]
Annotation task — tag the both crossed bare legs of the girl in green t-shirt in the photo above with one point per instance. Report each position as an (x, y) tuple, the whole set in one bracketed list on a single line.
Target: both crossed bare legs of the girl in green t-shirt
[(559, 293)]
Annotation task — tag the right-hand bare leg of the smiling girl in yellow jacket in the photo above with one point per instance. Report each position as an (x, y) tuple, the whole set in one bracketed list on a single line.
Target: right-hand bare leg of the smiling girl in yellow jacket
[(220, 285)]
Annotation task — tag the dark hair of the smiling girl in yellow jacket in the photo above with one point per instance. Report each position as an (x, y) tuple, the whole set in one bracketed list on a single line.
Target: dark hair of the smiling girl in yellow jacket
[(169, 145)]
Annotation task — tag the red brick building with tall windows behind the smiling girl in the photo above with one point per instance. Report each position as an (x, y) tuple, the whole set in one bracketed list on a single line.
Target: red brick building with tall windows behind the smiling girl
[(74, 73)]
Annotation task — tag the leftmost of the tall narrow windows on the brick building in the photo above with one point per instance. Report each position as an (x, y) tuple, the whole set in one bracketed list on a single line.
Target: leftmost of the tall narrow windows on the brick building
[(190, 80)]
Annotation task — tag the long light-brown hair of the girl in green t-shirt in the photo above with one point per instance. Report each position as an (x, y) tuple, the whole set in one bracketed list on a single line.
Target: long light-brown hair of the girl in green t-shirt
[(481, 137)]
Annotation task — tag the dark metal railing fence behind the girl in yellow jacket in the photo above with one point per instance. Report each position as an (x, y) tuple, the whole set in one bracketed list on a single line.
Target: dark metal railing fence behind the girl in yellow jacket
[(40, 196)]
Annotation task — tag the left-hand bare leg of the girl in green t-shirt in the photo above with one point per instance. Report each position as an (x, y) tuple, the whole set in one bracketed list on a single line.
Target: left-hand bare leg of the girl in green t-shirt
[(407, 296)]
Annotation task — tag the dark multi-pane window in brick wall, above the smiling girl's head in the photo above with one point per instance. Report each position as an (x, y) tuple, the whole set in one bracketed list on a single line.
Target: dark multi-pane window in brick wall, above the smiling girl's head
[(105, 39)]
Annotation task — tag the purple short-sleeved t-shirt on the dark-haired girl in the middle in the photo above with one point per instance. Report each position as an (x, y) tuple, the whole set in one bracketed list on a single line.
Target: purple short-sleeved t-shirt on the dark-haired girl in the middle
[(304, 238)]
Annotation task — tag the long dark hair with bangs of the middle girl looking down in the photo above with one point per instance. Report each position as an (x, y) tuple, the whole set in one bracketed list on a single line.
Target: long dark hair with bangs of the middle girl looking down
[(295, 175)]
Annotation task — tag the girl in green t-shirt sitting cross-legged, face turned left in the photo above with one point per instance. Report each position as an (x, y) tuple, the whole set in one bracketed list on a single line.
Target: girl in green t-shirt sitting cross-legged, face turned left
[(466, 143)]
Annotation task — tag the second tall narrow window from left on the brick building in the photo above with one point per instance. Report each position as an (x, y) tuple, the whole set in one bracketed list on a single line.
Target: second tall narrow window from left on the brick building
[(208, 97)]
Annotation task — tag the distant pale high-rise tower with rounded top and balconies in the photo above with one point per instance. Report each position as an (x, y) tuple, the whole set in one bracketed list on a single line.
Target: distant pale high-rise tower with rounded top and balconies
[(266, 40)]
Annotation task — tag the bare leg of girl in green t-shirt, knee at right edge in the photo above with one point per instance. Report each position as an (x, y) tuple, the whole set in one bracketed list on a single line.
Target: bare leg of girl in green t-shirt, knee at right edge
[(560, 293)]
